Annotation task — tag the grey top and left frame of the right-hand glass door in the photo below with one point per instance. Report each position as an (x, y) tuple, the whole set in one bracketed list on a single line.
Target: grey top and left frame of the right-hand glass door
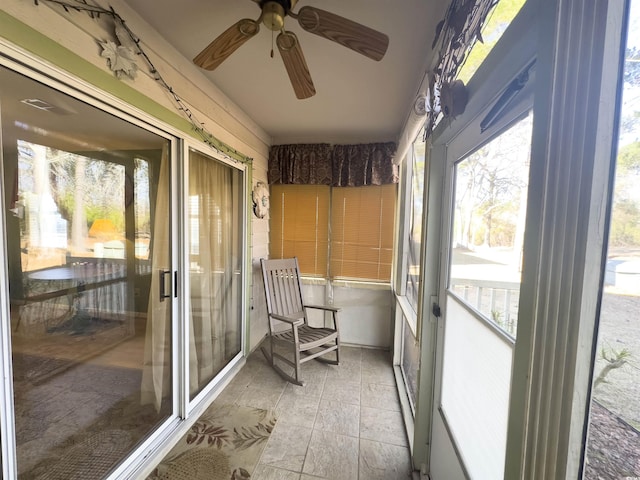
[(450, 142)]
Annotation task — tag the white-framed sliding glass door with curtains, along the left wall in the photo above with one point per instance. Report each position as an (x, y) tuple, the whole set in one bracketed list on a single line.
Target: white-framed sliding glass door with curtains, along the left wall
[(124, 291)]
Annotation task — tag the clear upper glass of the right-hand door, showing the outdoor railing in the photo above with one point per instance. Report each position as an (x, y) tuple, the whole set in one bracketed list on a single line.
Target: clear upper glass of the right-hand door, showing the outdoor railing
[(488, 225)]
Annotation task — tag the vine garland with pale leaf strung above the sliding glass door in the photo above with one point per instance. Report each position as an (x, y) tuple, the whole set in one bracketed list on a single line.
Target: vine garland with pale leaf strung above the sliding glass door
[(121, 62)]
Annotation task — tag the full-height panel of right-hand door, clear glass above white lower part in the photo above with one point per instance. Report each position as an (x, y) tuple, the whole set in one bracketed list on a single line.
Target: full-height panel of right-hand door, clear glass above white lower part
[(486, 238)]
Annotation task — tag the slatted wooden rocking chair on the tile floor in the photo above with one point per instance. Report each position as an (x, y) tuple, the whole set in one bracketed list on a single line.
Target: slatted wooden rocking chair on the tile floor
[(283, 291)]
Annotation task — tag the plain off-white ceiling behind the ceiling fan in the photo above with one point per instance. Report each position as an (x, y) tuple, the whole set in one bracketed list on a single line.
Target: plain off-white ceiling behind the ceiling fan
[(357, 99)]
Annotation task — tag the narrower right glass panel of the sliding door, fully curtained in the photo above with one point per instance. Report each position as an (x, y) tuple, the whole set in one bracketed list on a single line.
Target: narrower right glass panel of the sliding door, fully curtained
[(215, 267)]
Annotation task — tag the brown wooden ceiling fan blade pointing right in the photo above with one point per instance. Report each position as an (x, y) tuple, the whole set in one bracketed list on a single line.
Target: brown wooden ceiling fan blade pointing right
[(357, 37)]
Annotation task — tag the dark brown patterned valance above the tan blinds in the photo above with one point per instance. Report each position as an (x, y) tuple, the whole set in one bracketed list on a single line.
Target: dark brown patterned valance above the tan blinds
[(338, 165)]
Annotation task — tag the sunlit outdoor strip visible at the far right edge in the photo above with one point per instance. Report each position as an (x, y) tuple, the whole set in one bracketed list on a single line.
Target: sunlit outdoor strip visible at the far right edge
[(613, 444)]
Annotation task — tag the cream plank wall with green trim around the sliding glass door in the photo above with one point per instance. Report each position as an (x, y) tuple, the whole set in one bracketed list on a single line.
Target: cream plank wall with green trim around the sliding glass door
[(70, 41)]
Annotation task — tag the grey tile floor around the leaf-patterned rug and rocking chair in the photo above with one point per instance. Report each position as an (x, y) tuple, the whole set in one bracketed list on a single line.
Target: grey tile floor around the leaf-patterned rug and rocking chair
[(345, 423)]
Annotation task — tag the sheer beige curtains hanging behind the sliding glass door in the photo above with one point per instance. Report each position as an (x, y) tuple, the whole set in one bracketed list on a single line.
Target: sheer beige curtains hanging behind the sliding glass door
[(215, 276)]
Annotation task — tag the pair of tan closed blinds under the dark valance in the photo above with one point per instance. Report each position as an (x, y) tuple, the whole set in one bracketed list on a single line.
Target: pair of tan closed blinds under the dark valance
[(354, 223)]
